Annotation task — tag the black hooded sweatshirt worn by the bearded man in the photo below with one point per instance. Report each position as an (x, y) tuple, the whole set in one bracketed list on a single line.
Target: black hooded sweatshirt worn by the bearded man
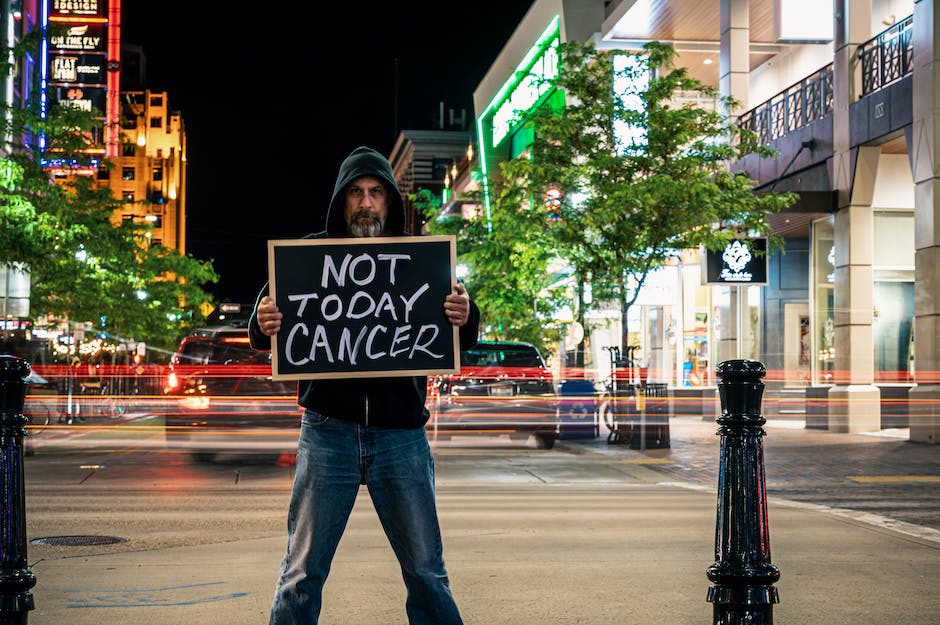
[(394, 402)]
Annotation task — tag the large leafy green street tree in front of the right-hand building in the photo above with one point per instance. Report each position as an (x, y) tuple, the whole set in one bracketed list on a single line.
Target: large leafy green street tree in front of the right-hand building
[(641, 175)]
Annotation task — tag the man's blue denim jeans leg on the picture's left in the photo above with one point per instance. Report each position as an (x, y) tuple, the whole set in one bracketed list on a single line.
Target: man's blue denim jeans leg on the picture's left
[(326, 482)]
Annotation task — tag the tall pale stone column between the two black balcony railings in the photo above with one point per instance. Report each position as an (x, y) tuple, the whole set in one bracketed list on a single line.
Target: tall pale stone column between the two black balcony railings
[(854, 402)]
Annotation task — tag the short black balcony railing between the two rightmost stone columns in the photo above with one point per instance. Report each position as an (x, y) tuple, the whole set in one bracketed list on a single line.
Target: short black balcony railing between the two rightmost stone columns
[(887, 57)]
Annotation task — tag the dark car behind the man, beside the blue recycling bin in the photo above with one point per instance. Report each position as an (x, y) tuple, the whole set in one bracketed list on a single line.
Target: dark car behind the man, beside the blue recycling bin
[(504, 387)]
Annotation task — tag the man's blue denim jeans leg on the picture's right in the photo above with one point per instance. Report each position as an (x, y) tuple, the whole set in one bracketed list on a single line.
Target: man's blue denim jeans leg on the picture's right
[(400, 478)]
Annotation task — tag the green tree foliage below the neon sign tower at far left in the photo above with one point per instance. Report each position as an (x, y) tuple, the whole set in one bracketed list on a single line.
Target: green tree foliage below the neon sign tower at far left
[(82, 266)]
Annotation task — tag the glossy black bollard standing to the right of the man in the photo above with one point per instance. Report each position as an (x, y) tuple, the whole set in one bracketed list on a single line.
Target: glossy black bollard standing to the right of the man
[(742, 575)]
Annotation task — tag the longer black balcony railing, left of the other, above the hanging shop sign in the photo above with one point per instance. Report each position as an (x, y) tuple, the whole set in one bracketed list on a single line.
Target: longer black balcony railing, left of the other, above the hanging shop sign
[(794, 107)]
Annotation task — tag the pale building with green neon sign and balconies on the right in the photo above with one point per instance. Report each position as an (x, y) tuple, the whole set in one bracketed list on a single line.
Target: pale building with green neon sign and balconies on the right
[(846, 94)]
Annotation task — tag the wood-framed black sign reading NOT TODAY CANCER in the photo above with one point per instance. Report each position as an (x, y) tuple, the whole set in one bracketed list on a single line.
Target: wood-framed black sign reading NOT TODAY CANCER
[(363, 307)]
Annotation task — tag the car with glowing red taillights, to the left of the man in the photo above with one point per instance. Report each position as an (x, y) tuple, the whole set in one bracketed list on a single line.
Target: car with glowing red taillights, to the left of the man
[(219, 397)]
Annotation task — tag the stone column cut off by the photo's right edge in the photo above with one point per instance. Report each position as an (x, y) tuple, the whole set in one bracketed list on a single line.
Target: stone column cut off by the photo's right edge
[(922, 147)]
